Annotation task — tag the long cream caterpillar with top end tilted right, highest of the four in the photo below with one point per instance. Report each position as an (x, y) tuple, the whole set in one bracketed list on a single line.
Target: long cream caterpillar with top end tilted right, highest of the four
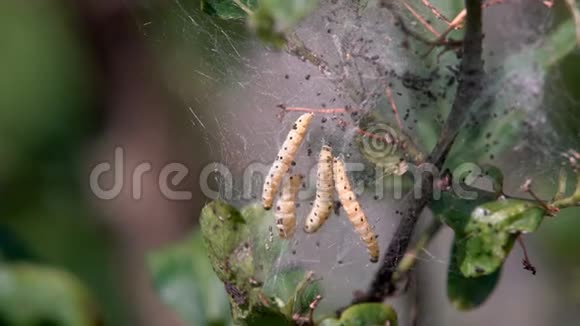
[(284, 159)]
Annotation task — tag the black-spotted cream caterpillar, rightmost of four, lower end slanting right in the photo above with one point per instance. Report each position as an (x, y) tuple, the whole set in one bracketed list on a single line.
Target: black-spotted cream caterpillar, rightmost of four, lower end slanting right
[(353, 210)]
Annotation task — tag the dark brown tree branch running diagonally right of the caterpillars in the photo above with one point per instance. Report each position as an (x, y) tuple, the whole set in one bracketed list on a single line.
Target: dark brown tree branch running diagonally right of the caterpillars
[(469, 88)]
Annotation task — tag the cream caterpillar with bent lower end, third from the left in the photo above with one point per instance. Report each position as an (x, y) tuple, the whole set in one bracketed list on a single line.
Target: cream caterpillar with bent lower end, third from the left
[(323, 204)]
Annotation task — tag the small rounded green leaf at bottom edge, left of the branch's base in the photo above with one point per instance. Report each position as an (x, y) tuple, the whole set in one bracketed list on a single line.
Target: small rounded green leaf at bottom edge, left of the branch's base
[(369, 314)]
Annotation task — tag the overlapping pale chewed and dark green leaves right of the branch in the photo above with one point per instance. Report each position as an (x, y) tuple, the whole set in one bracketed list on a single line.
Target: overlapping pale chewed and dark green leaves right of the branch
[(485, 231)]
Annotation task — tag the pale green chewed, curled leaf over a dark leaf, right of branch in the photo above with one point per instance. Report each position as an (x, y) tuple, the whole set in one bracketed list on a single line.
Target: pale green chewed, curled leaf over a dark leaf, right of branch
[(490, 233)]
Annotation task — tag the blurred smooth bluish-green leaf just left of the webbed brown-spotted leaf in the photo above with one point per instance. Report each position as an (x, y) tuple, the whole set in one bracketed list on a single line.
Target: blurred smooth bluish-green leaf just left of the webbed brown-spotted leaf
[(186, 282)]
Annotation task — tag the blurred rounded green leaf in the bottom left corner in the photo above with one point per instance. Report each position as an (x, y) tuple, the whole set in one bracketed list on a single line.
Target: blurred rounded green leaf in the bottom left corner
[(50, 296)]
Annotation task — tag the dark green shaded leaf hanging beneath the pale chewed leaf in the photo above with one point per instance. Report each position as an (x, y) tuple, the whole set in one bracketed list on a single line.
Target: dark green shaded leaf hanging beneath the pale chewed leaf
[(467, 292)]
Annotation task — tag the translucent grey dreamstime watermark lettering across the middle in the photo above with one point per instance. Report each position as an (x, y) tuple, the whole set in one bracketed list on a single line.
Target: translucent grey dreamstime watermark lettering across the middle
[(216, 180)]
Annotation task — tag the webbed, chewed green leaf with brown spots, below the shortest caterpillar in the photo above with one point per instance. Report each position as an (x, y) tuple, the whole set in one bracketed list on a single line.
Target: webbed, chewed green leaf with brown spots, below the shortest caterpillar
[(242, 251)]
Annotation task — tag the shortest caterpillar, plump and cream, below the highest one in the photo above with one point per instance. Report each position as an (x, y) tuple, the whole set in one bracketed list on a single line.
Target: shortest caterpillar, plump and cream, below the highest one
[(286, 206)]
